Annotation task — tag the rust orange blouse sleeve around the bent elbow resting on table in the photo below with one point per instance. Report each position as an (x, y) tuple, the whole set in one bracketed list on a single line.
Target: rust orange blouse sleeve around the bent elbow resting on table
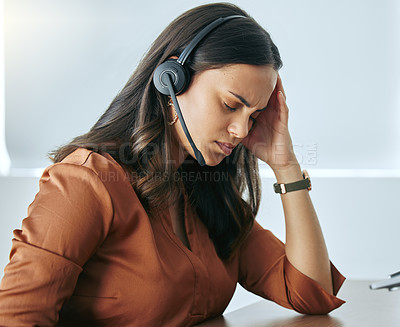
[(265, 270)]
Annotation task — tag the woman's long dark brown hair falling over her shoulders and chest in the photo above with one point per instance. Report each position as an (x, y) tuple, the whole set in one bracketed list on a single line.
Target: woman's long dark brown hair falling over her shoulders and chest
[(134, 129)]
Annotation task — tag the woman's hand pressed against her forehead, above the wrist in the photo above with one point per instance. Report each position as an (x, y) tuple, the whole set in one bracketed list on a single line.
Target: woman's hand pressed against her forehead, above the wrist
[(269, 139)]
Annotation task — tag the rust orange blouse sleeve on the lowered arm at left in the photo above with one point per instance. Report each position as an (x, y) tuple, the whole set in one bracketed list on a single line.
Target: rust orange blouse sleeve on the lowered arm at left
[(67, 221)]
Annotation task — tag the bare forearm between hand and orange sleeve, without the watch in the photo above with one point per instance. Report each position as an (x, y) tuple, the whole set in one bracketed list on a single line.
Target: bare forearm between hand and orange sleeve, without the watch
[(305, 245)]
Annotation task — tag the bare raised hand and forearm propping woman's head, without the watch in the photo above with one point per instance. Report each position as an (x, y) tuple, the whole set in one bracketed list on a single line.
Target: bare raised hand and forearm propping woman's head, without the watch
[(270, 141)]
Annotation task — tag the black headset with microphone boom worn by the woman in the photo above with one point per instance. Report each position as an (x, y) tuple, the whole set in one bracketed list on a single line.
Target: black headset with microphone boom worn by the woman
[(172, 77)]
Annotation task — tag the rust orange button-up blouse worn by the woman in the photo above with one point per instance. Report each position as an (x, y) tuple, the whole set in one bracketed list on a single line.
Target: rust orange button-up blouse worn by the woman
[(88, 255)]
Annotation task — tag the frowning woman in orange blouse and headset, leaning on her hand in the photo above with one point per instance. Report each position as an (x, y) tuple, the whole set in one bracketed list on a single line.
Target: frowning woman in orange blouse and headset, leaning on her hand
[(128, 229)]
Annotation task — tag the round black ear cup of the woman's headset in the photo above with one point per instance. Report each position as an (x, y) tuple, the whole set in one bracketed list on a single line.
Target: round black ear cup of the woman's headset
[(179, 75)]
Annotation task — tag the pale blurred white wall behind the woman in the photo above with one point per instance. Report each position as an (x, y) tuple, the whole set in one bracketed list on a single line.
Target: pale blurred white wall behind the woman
[(65, 61)]
